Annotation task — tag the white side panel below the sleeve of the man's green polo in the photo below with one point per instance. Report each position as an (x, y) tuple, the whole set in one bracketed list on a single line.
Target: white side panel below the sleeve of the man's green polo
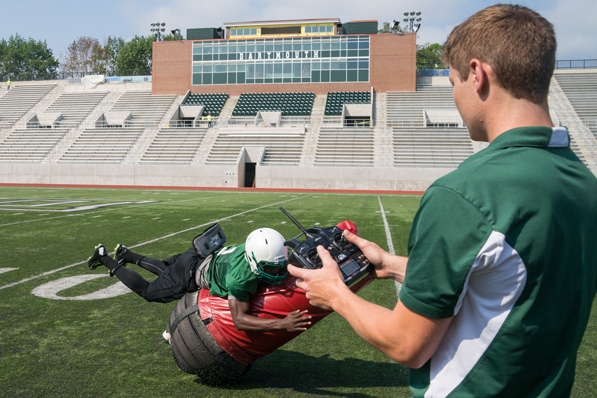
[(491, 289)]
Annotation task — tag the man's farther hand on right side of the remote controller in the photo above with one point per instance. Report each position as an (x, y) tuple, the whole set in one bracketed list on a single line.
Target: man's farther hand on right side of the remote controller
[(386, 265)]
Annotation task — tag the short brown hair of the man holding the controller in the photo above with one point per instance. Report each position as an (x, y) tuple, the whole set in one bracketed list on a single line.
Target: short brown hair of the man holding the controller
[(516, 41)]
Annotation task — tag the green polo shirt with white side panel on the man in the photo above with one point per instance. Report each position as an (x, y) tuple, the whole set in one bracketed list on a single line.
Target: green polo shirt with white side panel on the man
[(506, 245)]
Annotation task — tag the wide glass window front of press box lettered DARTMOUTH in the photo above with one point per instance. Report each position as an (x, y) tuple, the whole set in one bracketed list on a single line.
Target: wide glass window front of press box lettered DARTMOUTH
[(282, 60)]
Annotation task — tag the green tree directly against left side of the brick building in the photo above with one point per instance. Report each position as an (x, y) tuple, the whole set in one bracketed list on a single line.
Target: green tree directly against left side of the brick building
[(134, 56)]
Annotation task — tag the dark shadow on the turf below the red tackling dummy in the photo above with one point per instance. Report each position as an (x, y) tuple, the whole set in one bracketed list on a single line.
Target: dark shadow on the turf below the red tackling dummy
[(315, 375)]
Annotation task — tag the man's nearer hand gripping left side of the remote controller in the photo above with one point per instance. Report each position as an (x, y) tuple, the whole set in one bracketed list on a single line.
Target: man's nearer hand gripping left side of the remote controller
[(324, 285)]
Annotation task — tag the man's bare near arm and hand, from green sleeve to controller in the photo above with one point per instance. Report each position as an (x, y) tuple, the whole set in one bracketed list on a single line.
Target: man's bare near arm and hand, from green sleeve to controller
[(403, 335)]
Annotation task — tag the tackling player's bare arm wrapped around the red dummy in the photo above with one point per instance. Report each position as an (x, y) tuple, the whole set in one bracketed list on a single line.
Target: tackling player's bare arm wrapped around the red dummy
[(293, 322)]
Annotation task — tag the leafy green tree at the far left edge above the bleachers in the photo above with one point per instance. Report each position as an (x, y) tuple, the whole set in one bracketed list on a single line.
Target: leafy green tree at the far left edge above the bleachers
[(22, 59)]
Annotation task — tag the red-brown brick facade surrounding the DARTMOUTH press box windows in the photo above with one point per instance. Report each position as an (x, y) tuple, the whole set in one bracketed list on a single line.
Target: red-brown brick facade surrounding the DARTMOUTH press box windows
[(392, 68)]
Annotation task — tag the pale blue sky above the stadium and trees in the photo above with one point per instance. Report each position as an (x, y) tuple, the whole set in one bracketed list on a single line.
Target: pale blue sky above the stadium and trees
[(60, 22)]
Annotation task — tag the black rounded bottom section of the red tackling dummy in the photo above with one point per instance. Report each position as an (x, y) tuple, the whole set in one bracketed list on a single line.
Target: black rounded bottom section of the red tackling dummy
[(195, 351)]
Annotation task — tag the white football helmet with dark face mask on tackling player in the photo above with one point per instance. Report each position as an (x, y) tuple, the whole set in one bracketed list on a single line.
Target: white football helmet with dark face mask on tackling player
[(266, 254)]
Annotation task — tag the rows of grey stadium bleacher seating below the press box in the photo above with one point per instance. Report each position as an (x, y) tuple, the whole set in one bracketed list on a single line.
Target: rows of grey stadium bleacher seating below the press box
[(403, 130)]
